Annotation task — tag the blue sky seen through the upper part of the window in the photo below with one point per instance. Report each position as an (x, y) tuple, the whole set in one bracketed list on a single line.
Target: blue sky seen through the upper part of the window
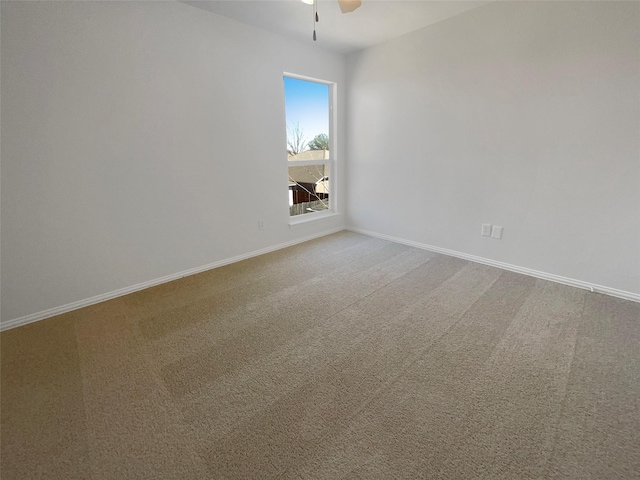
[(307, 103)]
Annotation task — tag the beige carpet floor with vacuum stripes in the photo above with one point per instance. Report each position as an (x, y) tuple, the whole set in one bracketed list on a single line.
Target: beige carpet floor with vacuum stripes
[(343, 358)]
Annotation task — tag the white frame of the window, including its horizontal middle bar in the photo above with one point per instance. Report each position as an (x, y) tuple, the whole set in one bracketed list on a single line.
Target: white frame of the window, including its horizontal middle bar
[(331, 161)]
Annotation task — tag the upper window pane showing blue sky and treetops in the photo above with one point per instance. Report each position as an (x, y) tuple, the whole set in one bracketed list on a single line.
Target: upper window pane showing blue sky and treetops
[(307, 116)]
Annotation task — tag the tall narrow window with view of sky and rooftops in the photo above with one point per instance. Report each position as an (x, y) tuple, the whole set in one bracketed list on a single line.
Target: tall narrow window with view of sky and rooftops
[(310, 145)]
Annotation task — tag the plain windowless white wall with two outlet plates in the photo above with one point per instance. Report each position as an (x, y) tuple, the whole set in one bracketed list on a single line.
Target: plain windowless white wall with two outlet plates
[(519, 114)]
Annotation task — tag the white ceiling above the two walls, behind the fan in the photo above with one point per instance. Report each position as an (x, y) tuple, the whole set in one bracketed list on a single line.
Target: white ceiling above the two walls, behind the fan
[(376, 21)]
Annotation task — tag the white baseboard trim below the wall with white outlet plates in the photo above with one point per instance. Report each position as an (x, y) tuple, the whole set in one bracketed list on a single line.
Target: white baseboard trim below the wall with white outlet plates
[(506, 266)]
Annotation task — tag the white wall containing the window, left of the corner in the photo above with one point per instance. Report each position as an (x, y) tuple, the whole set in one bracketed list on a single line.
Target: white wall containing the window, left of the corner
[(139, 140)]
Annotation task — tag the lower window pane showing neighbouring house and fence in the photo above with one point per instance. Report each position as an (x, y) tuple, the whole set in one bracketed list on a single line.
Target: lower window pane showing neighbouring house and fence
[(308, 188)]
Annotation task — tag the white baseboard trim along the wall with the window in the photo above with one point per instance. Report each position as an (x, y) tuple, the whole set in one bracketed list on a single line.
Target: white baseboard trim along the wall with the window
[(35, 317)]
